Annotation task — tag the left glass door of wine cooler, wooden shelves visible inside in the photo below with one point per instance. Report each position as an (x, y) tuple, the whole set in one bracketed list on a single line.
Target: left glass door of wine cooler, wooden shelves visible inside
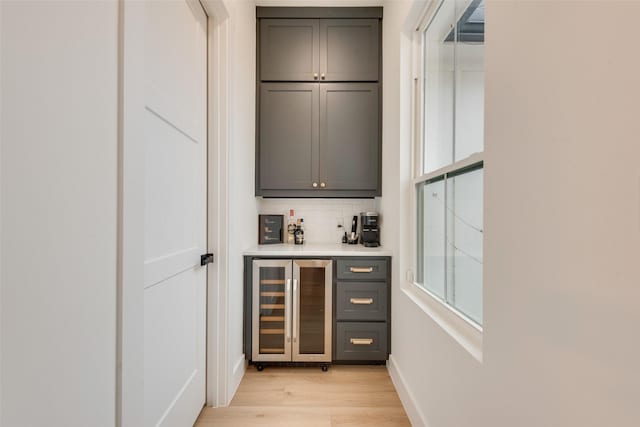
[(272, 283)]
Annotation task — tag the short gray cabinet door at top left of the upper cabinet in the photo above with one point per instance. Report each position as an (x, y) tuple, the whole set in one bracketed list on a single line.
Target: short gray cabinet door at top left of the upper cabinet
[(289, 49)]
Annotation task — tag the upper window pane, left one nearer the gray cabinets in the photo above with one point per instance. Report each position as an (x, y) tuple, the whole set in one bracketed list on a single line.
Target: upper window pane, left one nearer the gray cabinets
[(438, 72)]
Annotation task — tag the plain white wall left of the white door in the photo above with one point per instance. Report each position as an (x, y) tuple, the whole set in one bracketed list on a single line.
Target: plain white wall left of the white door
[(58, 106)]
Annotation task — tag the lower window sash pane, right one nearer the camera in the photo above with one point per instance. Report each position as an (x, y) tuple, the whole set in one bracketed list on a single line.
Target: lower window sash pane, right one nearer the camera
[(464, 243)]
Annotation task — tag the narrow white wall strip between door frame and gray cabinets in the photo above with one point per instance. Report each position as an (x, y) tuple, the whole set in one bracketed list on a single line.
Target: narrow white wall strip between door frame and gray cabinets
[(242, 206)]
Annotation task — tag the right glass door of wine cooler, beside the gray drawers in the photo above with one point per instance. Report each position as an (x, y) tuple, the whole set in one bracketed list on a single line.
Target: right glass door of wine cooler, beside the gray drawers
[(311, 327)]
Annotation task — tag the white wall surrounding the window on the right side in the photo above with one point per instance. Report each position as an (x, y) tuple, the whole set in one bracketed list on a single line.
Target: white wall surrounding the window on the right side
[(562, 229)]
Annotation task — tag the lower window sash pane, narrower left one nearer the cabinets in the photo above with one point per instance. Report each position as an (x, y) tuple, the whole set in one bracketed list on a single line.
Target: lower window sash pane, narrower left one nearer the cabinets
[(431, 241)]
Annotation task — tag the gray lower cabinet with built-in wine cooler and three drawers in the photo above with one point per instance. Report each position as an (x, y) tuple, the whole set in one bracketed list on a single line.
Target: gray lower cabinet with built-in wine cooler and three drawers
[(307, 310)]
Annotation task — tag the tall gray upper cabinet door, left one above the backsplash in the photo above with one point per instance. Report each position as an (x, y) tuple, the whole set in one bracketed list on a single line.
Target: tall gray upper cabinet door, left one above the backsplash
[(288, 136)]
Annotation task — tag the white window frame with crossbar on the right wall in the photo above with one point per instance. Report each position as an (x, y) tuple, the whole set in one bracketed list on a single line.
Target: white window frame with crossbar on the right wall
[(459, 326)]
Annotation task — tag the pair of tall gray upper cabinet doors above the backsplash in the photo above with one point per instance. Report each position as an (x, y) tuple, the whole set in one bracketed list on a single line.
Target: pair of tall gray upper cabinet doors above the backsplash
[(318, 140)]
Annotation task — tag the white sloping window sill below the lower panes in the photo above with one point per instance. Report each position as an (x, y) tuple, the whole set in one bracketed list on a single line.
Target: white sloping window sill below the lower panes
[(462, 330)]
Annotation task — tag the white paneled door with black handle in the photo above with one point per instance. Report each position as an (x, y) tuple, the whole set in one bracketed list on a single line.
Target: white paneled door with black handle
[(175, 74)]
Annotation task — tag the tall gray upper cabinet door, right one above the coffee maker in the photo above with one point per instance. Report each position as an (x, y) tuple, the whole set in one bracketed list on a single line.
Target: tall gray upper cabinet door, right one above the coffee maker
[(349, 136)]
